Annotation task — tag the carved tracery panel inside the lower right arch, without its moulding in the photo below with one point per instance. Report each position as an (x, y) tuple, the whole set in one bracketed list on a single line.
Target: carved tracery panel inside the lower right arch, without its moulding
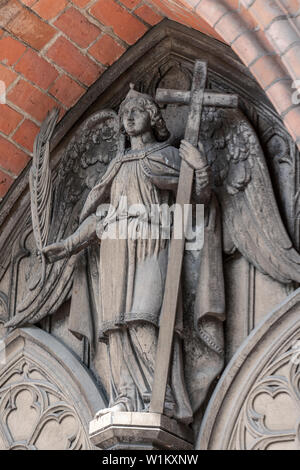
[(270, 417)]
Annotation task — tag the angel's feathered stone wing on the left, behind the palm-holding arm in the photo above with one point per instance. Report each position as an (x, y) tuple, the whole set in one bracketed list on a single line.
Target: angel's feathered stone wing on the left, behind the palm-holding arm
[(87, 156)]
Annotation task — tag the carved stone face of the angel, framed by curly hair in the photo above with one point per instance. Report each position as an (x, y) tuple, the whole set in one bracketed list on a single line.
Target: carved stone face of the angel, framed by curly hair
[(136, 119)]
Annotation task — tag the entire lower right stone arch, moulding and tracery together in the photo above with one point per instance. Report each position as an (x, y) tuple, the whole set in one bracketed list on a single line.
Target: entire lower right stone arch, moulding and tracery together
[(256, 402)]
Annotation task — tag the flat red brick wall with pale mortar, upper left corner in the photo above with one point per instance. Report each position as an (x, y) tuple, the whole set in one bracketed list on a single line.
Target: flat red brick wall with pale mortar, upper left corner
[(51, 51)]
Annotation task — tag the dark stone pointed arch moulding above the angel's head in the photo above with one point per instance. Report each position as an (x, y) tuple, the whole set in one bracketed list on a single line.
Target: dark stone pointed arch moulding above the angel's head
[(167, 38)]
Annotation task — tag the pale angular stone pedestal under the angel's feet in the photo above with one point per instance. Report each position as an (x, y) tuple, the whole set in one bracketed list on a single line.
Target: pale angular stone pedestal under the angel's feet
[(139, 431)]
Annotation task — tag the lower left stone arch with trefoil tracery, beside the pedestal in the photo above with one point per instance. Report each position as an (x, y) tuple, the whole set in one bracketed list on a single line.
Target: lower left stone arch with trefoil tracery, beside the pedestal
[(47, 397)]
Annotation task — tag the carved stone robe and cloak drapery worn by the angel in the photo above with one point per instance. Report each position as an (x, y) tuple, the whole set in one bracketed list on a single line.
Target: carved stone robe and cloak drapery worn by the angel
[(132, 274)]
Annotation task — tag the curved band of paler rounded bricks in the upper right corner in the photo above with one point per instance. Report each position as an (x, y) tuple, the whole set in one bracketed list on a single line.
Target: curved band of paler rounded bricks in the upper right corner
[(265, 34)]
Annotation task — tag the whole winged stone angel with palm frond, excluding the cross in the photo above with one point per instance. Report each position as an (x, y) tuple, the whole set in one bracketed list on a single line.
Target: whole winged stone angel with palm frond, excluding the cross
[(115, 169)]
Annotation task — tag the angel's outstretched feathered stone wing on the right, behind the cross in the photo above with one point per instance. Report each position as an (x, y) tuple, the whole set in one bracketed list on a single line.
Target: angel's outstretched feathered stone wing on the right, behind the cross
[(242, 181)]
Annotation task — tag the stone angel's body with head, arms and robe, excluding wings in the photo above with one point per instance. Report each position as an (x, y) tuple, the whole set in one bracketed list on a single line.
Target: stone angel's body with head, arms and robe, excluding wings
[(132, 268)]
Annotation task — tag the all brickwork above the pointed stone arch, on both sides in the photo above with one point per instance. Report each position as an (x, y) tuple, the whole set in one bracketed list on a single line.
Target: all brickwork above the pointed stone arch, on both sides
[(52, 51)]
